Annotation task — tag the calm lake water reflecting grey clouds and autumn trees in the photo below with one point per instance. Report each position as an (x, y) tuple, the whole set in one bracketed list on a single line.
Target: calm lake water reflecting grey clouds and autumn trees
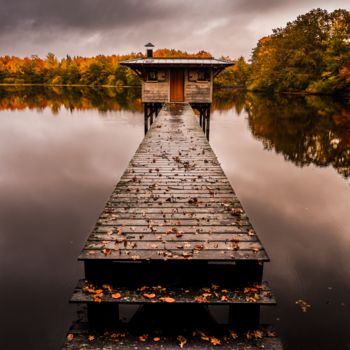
[(63, 150)]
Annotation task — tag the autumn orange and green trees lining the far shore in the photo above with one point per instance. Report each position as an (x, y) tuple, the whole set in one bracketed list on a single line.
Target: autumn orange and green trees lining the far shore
[(310, 55)]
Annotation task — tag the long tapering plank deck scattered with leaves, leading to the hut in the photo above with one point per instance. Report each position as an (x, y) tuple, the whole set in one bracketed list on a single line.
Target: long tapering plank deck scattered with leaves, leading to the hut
[(174, 202)]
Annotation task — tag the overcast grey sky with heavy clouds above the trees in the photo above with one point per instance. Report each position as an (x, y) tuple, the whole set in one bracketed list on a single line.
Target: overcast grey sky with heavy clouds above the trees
[(90, 27)]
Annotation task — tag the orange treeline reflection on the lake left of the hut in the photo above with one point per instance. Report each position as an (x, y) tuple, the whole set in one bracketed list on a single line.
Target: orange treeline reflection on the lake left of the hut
[(80, 98)]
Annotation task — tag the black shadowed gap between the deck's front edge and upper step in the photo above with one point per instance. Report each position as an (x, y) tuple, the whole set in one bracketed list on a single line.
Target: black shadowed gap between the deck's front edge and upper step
[(183, 272)]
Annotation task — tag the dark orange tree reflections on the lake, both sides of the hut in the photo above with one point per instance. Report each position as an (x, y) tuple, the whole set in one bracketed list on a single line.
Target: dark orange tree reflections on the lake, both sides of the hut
[(305, 129)]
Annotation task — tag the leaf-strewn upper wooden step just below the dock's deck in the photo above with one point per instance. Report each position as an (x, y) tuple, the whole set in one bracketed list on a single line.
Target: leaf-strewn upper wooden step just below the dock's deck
[(87, 292)]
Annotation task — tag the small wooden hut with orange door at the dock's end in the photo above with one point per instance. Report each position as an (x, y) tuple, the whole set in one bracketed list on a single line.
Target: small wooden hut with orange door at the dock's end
[(176, 79)]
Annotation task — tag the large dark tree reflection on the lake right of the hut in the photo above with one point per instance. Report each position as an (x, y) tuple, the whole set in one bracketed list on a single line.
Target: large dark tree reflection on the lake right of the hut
[(306, 130)]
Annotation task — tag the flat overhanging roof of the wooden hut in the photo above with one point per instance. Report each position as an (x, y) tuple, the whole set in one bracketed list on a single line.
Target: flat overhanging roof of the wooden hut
[(177, 62)]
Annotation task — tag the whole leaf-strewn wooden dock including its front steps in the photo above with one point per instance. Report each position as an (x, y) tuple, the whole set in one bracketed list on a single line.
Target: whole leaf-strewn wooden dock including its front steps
[(173, 238)]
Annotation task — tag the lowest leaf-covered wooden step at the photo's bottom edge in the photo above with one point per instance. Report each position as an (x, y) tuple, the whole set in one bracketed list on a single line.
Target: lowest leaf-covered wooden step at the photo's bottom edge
[(124, 338)]
